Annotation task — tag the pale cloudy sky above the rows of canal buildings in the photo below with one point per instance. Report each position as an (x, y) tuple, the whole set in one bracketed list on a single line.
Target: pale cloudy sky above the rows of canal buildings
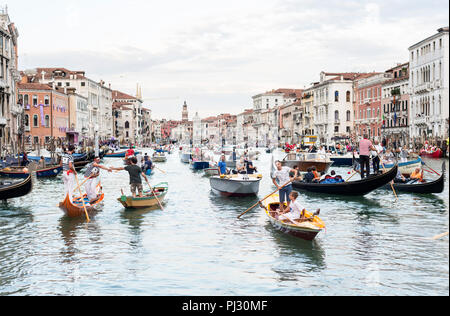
[(217, 54)]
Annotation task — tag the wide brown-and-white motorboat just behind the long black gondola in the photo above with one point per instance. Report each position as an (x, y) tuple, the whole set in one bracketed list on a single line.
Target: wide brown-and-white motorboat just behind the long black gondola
[(304, 161)]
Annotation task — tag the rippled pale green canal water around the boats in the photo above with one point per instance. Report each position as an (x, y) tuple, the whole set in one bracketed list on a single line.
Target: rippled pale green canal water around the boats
[(373, 245)]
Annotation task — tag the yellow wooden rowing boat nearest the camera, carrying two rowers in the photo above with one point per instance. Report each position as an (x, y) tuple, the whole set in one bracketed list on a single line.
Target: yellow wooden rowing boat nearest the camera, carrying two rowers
[(306, 230)]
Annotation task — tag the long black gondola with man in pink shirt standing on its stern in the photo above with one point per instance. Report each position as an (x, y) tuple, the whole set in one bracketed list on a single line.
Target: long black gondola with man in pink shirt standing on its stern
[(355, 188)]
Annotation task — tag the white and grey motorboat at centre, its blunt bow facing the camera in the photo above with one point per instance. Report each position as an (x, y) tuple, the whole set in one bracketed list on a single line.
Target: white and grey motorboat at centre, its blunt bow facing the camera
[(236, 185)]
